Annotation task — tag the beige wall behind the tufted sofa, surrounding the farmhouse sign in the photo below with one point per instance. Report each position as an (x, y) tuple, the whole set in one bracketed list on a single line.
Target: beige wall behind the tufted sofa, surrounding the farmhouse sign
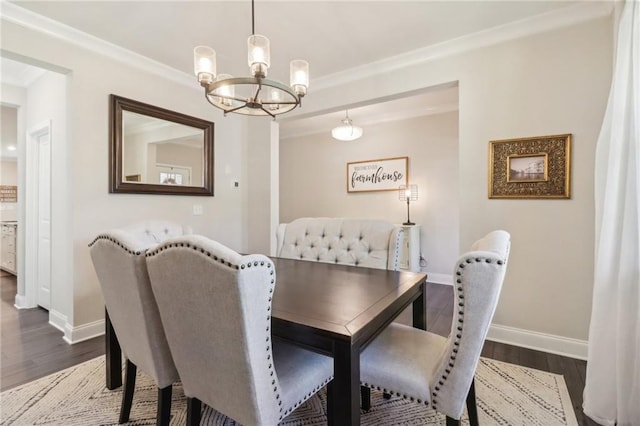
[(313, 180)]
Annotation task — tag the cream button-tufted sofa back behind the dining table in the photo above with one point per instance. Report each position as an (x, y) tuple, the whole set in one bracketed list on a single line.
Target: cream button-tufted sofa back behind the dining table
[(361, 242)]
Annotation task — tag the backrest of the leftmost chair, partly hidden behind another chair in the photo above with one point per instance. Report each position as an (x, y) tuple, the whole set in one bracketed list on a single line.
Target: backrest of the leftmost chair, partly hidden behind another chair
[(118, 258)]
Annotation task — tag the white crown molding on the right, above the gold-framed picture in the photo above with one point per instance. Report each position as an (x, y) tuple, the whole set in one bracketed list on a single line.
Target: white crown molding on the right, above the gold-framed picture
[(564, 17)]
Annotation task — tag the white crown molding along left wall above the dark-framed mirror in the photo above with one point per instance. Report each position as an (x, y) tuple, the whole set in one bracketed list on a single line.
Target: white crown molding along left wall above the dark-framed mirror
[(26, 18)]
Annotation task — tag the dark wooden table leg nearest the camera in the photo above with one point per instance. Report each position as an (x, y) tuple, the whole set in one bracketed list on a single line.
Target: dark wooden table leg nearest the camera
[(344, 398)]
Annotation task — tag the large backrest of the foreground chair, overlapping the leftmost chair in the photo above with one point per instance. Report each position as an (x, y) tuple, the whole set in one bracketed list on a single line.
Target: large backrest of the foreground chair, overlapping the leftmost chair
[(215, 305)]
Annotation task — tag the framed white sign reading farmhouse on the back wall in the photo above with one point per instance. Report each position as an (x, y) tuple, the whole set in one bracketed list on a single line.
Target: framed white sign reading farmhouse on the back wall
[(385, 174)]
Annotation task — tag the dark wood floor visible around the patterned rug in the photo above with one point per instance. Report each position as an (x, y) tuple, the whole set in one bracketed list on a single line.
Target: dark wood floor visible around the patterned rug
[(31, 348)]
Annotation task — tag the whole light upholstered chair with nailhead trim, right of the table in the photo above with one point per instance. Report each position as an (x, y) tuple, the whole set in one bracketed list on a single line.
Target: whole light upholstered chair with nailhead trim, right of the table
[(433, 370)]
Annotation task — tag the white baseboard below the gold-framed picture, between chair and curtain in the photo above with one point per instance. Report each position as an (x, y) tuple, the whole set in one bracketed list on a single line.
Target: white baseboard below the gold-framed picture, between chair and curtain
[(559, 345)]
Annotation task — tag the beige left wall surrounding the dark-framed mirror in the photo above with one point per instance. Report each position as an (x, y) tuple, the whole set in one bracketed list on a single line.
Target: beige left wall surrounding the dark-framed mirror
[(90, 208)]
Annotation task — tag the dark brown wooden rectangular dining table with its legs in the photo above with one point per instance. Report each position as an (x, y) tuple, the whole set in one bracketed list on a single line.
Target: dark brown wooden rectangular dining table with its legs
[(332, 309)]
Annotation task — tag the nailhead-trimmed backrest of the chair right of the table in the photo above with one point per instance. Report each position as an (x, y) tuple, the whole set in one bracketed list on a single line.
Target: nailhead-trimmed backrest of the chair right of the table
[(478, 278)]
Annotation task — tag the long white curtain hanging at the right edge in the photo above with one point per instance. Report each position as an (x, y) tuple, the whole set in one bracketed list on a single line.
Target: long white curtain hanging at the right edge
[(612, 391)]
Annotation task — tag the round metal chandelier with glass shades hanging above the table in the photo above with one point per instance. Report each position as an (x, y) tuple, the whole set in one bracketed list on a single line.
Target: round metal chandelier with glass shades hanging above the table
[(255, 95)]
